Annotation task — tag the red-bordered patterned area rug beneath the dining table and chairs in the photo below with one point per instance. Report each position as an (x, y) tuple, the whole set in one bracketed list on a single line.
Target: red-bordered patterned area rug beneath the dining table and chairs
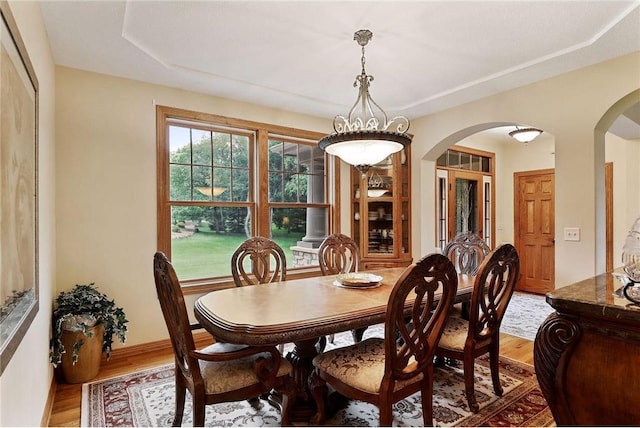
[(146, 398)]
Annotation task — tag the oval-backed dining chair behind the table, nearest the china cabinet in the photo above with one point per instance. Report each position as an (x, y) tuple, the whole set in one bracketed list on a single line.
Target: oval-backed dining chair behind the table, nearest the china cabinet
[(337, 254)]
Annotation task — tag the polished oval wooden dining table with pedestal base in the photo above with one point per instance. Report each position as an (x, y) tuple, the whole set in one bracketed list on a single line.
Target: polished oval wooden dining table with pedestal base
[(300, 311)]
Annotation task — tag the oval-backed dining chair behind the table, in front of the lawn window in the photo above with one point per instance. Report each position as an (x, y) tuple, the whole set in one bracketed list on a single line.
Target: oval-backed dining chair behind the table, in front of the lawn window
[(258, 260)]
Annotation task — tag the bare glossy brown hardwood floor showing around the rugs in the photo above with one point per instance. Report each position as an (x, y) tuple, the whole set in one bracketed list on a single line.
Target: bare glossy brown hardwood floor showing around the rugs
[(66, 403)]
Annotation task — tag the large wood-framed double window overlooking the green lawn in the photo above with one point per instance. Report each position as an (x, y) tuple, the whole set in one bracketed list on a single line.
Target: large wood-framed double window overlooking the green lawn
[(222, 180)]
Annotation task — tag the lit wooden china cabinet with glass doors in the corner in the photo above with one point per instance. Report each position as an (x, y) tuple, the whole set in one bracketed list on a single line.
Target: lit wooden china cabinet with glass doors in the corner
[(381, 212)]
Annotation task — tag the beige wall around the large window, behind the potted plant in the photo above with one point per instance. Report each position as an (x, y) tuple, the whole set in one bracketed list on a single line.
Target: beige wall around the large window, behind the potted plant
[(106, 184)]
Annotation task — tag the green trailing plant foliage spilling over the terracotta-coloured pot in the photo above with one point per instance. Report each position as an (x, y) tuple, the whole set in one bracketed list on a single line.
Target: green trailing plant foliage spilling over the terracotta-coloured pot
[(80, 309)]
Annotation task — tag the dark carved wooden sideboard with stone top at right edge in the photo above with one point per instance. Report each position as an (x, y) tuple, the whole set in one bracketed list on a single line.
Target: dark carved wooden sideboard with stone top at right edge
[(587, 355)]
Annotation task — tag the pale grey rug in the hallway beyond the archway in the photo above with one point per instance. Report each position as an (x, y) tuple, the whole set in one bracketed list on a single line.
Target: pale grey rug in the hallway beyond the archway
[(524, 315)]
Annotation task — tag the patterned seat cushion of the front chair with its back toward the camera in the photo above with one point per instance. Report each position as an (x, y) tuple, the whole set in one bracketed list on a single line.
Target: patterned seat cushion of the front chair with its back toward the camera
[(360, 366)]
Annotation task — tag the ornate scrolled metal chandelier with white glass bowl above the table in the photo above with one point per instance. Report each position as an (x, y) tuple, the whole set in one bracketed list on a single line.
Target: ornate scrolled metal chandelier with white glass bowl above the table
[(365, 137)]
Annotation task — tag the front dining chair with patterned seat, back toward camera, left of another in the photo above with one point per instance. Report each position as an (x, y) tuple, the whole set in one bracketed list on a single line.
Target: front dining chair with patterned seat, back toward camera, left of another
[(381, 371)]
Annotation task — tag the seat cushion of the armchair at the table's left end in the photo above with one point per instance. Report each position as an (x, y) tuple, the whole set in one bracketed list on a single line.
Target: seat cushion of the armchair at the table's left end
[(226, 376)]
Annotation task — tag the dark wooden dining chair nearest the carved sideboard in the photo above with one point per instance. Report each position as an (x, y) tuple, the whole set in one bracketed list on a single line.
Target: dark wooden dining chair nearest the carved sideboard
[(465, 340)]
